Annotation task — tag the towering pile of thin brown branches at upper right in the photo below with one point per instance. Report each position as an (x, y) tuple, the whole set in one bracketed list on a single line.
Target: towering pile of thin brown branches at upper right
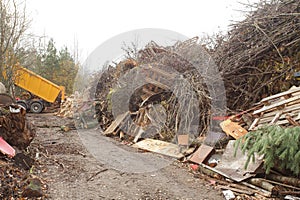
[(260, 54)]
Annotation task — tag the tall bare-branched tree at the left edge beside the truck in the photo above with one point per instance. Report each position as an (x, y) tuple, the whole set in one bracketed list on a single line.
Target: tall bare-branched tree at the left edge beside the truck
[(13, 25)]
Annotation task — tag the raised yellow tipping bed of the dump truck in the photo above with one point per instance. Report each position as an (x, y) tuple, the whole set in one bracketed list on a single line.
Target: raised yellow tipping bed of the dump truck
[(36, 84)]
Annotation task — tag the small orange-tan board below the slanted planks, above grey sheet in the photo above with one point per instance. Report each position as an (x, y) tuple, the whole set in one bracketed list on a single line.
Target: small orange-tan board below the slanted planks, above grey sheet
[(233, 129)]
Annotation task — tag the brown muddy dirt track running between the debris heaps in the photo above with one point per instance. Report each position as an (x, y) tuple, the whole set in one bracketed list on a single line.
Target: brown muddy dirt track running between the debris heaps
[(72, 172)]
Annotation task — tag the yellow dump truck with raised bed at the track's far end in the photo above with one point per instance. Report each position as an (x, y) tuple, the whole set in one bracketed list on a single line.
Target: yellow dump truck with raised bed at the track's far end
[(46, 91)]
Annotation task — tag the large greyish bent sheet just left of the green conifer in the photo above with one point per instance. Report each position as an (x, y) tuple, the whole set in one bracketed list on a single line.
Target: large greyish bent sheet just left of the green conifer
[(234, 166)]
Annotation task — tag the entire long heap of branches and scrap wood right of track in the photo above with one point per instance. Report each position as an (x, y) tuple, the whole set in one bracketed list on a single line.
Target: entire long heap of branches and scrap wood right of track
[(145, 100)]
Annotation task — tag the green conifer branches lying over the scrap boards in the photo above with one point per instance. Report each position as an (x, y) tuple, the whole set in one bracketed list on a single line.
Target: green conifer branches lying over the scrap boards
[(279, 146)]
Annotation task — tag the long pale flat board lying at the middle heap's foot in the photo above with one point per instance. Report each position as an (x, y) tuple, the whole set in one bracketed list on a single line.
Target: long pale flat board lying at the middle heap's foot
[(161, 147)]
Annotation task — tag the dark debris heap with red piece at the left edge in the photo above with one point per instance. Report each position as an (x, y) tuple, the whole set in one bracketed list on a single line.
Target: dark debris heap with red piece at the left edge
[(16, 134)]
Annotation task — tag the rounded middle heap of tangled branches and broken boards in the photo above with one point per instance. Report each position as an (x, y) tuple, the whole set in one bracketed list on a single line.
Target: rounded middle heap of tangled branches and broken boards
[(152, 93)]
